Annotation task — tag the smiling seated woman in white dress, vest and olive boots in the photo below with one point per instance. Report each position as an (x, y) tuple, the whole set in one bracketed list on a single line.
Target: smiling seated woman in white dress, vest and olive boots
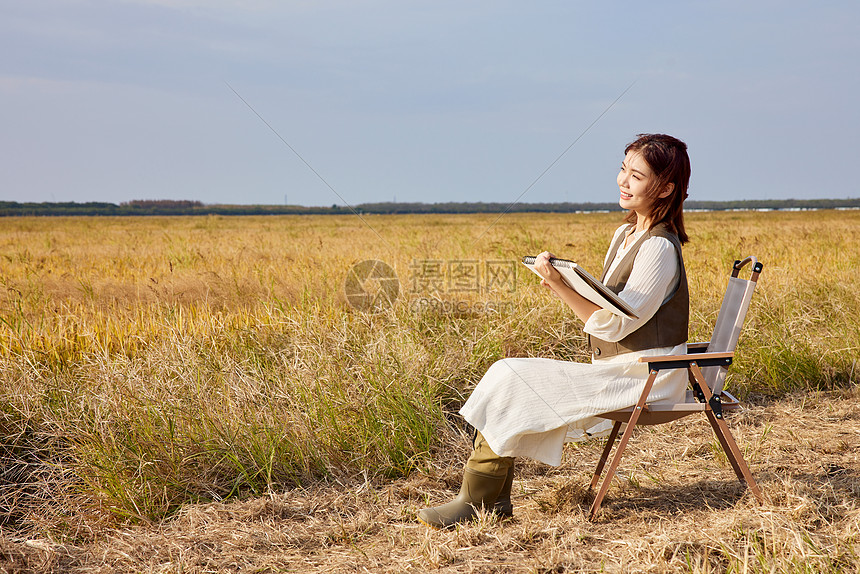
[(531, 407)]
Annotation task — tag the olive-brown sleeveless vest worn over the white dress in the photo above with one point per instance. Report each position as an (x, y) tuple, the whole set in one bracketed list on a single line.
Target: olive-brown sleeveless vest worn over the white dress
[(668, 327)]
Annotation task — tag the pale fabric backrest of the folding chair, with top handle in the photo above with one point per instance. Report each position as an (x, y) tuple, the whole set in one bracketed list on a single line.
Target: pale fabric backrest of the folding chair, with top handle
[(733, 311)]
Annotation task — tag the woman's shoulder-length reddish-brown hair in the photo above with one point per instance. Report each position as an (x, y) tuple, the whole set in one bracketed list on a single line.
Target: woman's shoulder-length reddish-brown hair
[(667, 157)]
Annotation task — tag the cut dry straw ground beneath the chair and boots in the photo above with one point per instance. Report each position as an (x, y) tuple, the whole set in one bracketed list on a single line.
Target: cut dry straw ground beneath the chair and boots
[(675, 506)]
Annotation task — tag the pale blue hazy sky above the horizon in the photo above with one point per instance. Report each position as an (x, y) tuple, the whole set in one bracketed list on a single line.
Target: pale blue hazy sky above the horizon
[(421, 101)]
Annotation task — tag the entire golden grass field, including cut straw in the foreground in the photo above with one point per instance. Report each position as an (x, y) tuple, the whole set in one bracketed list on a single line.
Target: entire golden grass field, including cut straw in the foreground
[(201, 395)]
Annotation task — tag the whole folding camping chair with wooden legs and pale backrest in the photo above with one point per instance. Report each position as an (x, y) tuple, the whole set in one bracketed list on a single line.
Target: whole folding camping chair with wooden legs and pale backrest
[(707, 365)]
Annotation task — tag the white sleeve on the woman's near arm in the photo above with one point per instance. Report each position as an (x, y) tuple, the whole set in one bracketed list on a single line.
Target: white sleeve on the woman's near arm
[(654, 276)]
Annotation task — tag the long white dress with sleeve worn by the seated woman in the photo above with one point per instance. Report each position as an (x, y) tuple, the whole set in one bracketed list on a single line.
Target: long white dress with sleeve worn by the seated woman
[(531, 407)]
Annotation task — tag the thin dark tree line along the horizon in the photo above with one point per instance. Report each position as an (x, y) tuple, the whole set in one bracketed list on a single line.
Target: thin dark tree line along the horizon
[(185, 207)]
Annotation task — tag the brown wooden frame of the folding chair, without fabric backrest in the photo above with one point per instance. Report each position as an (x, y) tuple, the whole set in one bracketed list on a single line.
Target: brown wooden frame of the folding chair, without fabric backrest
[(713, 402)]
